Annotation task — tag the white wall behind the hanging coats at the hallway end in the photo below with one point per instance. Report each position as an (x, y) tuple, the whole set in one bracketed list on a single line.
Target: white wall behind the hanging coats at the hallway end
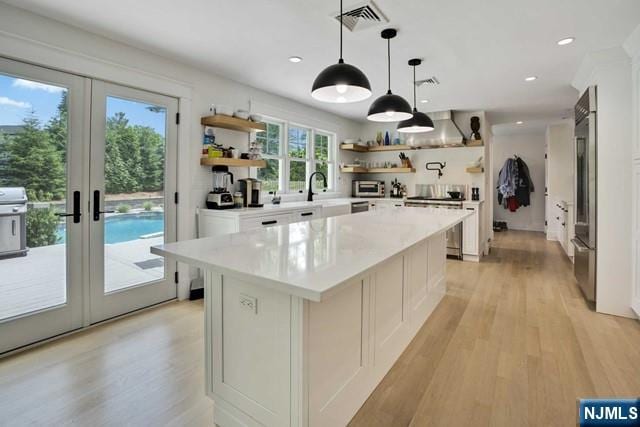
[(529, 147)]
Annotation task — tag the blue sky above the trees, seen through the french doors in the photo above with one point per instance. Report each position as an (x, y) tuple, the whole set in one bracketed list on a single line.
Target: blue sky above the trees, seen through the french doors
[(19, 98)]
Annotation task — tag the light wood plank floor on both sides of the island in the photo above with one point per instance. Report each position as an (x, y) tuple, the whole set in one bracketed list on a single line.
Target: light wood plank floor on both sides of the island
[(512, 343)]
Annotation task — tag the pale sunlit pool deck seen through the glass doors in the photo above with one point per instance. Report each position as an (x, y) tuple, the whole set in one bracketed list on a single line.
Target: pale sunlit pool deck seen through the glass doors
[(37, 281)]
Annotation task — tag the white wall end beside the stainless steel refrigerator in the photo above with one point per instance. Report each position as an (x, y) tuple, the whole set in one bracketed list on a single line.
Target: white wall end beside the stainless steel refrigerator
[(610, 70)]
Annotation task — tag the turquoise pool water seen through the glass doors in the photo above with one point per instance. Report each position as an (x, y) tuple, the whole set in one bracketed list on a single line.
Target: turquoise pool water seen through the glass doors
[(126, 227)]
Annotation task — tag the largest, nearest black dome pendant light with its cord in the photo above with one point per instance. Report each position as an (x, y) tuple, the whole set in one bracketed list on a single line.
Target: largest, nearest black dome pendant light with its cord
[(341, 83)]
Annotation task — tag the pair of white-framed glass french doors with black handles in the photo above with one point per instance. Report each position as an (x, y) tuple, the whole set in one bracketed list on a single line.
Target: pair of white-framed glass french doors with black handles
[(97, 162)]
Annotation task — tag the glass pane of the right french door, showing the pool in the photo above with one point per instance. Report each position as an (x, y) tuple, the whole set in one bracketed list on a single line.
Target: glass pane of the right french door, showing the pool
[(134, 192)]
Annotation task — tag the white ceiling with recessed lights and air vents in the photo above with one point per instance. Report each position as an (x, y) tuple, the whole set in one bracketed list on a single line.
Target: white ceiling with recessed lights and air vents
[(480, 51)]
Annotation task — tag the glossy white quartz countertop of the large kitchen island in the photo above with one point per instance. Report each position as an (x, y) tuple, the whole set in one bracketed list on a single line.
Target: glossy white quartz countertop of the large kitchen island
[(315, 258)]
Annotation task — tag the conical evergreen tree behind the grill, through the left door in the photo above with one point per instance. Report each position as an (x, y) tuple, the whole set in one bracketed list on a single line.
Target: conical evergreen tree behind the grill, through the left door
[(33, 161)]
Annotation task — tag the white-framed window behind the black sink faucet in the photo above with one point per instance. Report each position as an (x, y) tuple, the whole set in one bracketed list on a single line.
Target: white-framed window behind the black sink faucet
[(293, 152)]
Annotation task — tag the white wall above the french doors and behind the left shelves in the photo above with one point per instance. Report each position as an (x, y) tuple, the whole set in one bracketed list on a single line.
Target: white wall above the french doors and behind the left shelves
[(32, 38)]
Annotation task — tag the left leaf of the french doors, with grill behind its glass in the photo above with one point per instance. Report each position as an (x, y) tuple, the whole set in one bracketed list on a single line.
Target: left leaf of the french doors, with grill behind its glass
[(43, 148)]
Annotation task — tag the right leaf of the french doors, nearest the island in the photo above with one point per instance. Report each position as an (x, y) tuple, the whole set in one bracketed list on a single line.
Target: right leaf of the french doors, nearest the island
[(133, 183)]
